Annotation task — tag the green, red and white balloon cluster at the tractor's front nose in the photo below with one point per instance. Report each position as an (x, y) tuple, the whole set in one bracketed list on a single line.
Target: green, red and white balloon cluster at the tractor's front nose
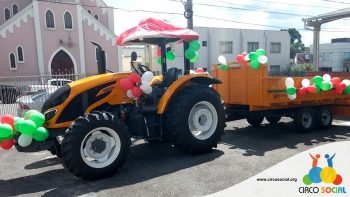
[(30, 127)]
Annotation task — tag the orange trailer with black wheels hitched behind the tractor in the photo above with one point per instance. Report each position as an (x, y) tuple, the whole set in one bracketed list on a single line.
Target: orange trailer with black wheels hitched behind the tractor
[(253, 95)]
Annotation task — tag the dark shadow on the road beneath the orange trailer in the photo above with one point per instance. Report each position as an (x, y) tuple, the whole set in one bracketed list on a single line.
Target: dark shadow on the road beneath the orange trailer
[(258, 141)]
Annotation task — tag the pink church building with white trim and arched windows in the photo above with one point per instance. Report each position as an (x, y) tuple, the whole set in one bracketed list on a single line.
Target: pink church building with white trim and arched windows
[(54, 36)]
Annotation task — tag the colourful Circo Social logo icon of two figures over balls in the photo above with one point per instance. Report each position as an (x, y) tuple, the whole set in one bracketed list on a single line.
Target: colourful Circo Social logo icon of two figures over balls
[(326, 175)]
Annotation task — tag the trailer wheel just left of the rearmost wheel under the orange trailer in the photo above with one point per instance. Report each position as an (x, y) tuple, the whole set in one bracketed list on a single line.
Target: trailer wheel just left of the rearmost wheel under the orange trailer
[(304, 120)]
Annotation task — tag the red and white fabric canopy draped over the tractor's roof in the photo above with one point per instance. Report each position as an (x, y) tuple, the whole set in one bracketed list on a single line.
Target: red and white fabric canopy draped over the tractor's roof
[(153, 31)]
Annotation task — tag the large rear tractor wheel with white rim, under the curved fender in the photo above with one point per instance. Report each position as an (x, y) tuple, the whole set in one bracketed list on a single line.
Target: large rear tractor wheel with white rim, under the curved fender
[(195, 119)]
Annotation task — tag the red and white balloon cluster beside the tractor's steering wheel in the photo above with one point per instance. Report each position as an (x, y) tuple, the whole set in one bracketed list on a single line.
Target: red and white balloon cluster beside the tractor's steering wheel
[(135, 85)]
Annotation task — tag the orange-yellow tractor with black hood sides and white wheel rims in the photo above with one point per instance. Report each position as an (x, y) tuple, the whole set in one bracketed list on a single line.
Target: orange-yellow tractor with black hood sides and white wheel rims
[(91, 121)]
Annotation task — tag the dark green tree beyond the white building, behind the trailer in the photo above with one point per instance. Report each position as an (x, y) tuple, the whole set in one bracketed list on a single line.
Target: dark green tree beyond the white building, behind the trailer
[(296, 45)]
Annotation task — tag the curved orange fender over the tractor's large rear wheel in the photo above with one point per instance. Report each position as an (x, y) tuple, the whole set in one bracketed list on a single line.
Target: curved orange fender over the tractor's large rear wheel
[(199, 78)]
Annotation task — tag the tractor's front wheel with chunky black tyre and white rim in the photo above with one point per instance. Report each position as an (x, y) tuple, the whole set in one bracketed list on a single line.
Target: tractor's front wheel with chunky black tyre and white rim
[(95, 146)]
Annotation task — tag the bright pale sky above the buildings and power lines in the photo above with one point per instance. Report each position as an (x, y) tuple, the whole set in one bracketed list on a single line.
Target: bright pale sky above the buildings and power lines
[(240, 14)]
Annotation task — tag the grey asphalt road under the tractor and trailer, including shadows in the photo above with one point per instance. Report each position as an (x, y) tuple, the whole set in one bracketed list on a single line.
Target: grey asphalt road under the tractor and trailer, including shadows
[(161, 170)]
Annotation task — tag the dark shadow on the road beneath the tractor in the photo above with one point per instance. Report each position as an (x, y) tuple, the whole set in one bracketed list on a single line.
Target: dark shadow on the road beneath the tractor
[(145, 162)]
